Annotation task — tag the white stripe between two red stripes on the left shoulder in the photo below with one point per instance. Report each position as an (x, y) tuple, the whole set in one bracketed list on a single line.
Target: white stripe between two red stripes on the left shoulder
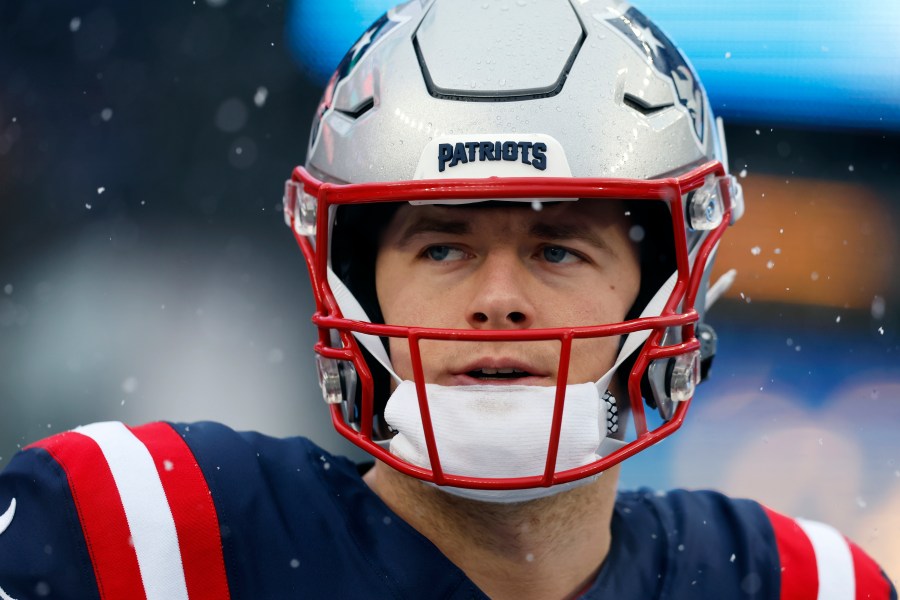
[(146, 509)]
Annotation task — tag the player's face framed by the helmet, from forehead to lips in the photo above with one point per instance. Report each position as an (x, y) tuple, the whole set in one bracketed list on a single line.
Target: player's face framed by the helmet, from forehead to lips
[(507, 267)]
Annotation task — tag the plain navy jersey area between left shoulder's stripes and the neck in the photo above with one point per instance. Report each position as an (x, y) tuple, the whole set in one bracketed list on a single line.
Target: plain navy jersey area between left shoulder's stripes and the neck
[(315, 528)]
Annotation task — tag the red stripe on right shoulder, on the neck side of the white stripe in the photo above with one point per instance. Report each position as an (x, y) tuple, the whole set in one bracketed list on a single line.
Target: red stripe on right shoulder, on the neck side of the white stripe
[(799, 572)]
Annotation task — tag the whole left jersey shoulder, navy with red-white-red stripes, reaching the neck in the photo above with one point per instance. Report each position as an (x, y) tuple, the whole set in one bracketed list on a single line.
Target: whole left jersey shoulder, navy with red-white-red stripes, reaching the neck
[(202, 511)]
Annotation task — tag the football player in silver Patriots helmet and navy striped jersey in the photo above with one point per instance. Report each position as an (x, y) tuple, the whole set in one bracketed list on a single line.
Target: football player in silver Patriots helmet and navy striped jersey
[(509, 213)]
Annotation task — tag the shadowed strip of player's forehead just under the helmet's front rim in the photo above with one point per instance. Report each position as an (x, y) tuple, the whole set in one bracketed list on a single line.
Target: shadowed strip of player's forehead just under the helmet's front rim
[(499, 218)]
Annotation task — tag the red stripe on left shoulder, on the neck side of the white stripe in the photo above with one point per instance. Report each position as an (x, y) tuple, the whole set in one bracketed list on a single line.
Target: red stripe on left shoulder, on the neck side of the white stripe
[(190, 501)]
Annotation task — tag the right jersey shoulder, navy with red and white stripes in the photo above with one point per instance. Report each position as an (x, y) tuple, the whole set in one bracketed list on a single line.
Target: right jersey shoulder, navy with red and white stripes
[(703, 541)]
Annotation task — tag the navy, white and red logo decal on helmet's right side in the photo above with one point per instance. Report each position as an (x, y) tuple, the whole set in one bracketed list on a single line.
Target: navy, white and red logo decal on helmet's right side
[(662, 54)]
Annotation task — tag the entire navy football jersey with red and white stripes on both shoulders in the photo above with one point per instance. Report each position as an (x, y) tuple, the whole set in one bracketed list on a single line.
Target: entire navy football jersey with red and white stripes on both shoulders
[(201, 511)]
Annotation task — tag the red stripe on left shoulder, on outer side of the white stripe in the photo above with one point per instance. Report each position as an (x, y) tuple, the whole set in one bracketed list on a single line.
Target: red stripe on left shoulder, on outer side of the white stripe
[(100, 512)]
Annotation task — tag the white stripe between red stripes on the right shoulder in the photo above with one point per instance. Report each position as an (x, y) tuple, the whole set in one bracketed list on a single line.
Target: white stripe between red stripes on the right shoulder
[(834, 562)]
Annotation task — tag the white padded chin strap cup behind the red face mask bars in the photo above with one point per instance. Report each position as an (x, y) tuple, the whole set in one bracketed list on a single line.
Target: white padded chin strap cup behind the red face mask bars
[(497, 431)]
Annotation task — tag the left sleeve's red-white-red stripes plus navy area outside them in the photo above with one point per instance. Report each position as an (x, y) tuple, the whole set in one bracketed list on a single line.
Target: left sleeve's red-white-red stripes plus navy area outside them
[(108, 510)]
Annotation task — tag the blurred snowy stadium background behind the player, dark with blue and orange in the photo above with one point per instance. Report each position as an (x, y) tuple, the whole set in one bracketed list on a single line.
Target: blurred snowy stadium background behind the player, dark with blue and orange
[(145, 271)]
